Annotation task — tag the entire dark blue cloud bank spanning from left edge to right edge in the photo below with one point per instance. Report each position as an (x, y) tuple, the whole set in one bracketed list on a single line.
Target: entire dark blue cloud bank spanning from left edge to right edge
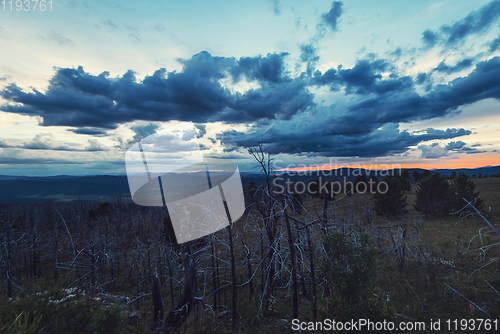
[(280, 110)]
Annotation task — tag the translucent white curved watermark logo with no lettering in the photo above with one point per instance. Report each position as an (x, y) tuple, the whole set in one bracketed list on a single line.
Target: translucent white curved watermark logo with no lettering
[(202, 194)]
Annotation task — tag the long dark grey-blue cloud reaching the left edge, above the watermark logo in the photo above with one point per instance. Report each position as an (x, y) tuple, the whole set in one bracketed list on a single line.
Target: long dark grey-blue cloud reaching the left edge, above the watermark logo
[(79, 99)]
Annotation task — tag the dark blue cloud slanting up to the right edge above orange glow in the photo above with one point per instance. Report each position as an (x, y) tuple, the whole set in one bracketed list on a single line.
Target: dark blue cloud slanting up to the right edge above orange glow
[(368, 127)]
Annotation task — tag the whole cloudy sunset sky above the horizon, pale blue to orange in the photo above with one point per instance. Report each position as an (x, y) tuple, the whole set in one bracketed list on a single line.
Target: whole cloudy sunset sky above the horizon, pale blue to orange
[(408, 83)]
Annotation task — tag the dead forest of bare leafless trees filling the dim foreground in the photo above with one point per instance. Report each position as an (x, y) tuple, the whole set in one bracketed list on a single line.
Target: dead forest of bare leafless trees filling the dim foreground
[(114, 267)]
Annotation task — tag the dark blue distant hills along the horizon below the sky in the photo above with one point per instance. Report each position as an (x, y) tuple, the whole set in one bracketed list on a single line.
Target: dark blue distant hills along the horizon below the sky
[(68, 188)]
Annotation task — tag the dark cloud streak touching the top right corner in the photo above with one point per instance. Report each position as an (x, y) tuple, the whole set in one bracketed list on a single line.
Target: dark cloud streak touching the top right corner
[(475, 22)]
